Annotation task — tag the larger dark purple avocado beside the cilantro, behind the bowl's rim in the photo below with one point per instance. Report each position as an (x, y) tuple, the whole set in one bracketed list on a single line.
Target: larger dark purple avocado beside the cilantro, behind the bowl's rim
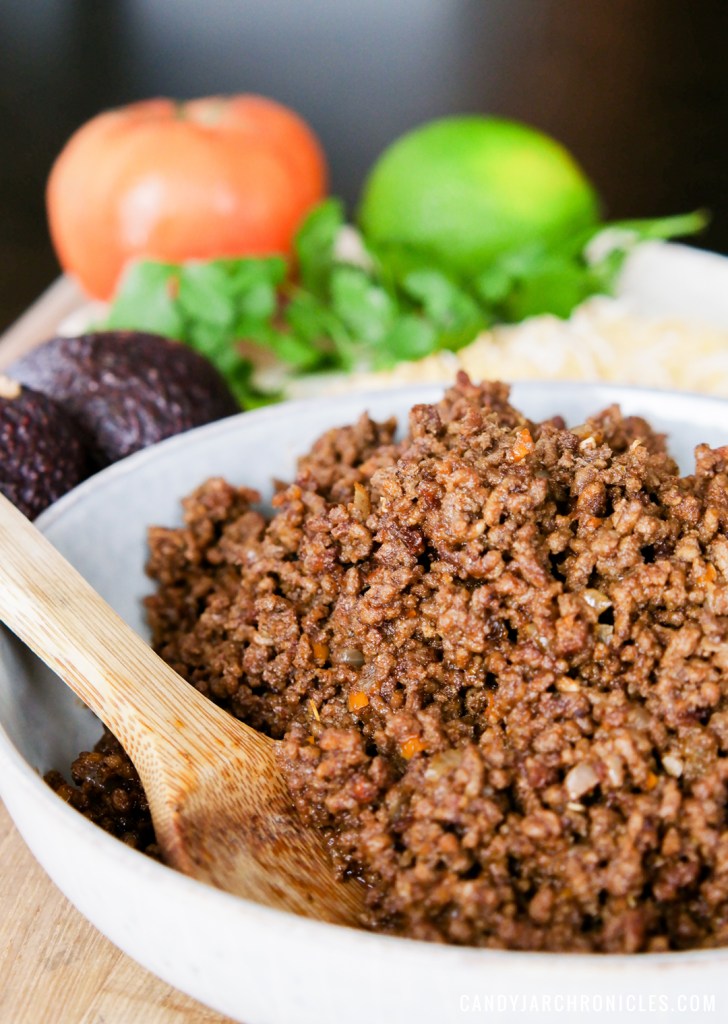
[(127, 390)]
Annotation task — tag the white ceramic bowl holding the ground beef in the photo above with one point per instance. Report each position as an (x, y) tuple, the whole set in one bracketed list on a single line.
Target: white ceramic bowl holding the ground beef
[(258, 965)]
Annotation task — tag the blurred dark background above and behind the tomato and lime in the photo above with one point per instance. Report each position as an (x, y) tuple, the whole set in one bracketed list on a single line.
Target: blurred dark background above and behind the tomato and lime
[(637, 90)]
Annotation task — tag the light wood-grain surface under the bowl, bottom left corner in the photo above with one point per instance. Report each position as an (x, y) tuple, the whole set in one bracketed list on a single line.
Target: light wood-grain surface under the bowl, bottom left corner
[(56, 967)]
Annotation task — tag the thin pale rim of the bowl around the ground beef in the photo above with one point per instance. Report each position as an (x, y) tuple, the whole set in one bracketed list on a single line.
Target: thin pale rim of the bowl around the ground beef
[(15, 767)]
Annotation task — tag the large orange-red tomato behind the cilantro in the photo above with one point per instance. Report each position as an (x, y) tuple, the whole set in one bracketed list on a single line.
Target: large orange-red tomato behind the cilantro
[(222, 177)]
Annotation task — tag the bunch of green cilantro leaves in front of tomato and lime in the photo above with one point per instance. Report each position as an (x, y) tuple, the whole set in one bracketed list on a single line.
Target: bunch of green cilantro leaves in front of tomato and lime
[(367, 310)]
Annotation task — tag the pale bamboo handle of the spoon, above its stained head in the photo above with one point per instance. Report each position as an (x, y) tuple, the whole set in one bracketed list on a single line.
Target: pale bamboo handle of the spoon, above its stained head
[(49, 605)]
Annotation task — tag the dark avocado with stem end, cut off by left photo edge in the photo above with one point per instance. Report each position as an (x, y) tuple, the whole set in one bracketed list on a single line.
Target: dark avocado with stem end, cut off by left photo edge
[(42, 450)]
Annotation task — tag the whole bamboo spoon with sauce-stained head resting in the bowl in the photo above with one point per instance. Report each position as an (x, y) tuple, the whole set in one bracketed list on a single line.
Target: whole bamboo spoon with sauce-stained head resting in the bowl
[(220, 804)]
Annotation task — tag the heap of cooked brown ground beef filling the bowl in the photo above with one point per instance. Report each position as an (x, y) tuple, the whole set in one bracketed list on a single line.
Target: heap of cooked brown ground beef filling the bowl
[(496, 655)]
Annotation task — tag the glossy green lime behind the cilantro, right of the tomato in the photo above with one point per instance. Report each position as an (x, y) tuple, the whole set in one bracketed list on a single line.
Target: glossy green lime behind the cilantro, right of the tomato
[(469, 188)]
